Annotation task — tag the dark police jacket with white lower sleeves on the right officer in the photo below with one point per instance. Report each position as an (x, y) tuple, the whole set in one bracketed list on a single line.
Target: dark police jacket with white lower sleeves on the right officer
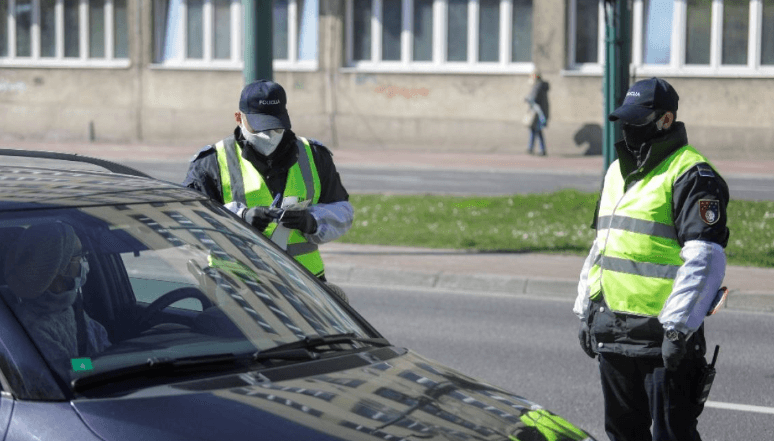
[(701, 242)]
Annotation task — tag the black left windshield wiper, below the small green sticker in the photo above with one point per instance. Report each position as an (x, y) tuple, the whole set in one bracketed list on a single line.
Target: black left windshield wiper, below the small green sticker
[(157, 367)]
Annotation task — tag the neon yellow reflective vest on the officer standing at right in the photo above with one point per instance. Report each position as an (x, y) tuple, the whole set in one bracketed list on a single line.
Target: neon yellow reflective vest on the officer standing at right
[(639, 251)]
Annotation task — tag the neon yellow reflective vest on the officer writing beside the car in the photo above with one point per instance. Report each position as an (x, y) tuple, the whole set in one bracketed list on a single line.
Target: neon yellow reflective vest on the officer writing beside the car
[(241, 182)]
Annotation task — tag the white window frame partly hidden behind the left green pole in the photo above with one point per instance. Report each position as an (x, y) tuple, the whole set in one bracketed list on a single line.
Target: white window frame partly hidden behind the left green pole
[(236, 60)]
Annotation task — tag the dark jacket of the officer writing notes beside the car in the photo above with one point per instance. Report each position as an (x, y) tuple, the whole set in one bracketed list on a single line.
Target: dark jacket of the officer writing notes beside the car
[(333, 211)]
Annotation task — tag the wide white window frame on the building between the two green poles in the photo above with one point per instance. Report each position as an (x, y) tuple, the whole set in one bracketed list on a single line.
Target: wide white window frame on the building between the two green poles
[(438, 63)]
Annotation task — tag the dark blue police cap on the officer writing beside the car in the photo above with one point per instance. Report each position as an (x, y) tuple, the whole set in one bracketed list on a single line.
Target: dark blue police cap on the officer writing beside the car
[(265, 104)]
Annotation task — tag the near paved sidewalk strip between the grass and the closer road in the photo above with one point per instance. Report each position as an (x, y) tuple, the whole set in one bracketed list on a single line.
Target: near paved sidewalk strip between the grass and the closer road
[(534, 274)]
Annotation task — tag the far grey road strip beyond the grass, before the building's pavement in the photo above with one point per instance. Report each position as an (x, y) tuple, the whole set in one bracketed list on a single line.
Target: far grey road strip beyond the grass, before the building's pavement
[(473, 183)]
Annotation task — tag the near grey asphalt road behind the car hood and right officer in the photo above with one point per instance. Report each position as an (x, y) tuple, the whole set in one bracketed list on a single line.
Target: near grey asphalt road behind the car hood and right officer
[(529, 346)]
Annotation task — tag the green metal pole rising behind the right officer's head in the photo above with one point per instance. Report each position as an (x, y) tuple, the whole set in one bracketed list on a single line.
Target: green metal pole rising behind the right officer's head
[(617, 60)]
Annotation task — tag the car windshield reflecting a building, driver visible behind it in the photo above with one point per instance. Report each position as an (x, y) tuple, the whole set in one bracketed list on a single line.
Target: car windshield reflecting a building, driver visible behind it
[(160, 282)]
